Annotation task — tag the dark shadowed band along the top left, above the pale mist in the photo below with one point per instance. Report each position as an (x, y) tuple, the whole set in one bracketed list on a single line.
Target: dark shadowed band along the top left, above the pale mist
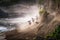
[(12, 2)]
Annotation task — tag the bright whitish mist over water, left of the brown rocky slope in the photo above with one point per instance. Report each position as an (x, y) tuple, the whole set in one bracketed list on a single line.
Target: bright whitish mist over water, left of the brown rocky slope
[(17, 14)]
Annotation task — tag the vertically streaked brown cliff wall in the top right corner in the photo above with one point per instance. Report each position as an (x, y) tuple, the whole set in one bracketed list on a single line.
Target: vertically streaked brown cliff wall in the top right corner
[(52, 5)]
